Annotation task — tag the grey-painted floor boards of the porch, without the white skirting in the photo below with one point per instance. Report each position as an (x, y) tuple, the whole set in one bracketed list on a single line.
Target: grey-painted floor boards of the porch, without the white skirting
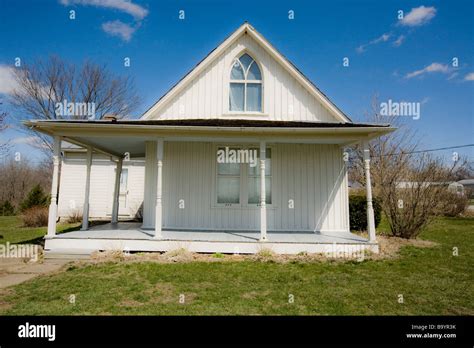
[(132, 230)]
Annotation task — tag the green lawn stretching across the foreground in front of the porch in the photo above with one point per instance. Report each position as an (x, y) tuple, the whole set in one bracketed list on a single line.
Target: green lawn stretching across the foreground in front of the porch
[(431, 280)]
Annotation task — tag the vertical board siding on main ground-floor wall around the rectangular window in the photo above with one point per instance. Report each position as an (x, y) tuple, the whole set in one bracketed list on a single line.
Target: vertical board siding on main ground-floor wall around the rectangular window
[(312, 175)]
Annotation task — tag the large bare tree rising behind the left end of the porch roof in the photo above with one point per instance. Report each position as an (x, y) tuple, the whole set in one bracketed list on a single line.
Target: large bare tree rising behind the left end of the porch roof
[(44, 87)]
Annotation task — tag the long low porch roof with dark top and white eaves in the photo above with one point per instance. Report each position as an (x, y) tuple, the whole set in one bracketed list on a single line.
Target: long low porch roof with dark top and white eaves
[(128, 136)]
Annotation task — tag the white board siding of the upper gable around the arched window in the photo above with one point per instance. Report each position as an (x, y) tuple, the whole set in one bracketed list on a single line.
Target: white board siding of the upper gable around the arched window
[(207, 96)]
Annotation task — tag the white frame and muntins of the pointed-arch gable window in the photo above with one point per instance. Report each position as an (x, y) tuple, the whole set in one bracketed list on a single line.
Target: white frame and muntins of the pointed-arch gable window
[(245, 82)]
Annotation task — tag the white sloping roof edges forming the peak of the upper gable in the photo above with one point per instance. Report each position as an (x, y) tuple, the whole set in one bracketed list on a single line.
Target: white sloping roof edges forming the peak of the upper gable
[(246, 28)]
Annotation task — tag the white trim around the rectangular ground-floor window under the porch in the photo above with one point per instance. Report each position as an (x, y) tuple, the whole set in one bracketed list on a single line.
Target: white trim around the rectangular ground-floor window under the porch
[(244, 205)]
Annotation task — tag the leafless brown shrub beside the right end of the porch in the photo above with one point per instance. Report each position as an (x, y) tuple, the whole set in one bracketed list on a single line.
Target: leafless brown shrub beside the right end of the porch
[(410, 185)]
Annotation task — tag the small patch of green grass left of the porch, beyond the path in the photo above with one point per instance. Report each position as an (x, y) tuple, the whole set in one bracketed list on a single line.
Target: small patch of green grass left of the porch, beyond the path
[(12, 231)]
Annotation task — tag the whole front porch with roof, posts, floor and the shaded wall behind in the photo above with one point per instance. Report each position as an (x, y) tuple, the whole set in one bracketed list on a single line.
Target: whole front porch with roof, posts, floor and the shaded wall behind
[(301, 165)]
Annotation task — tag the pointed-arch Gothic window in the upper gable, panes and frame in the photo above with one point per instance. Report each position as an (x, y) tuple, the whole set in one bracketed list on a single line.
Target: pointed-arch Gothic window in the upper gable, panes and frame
[(245, 91)]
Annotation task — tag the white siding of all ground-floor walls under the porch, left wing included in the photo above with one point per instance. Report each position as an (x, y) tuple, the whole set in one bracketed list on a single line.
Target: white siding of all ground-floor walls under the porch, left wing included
[(313, 176)]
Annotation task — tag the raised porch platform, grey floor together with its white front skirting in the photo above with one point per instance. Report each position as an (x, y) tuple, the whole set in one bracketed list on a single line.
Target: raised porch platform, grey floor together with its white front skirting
[(129, 236)]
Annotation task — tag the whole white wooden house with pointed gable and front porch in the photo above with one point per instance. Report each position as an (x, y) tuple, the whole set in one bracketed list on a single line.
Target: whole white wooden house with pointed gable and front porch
[(176, 165)]
